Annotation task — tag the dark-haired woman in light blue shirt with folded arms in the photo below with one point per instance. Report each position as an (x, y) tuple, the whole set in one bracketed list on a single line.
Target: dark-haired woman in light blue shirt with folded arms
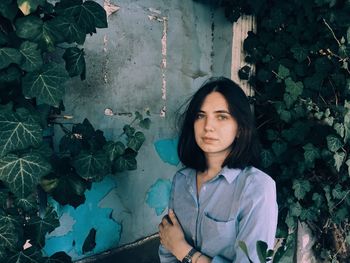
[(219, 198)]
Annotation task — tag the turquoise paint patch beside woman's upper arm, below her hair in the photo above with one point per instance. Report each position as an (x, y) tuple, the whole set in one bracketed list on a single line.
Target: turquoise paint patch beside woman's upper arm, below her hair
[(158, 195)]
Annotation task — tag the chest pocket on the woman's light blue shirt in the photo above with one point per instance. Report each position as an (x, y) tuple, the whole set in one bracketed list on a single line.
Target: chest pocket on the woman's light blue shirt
[(218, 236)]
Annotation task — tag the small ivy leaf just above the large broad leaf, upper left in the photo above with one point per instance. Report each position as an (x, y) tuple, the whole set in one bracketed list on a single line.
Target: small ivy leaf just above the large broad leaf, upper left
[(32, 57)]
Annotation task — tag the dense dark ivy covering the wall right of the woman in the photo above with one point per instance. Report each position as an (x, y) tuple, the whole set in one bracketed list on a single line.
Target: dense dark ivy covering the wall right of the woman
[(302, 103)]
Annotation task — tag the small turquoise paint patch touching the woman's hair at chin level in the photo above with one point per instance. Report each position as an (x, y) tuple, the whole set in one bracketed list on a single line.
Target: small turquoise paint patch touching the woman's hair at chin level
[(167, 150)]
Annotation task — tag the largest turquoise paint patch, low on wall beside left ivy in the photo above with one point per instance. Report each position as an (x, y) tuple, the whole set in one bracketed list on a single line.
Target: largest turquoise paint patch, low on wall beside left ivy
[(88, 215)]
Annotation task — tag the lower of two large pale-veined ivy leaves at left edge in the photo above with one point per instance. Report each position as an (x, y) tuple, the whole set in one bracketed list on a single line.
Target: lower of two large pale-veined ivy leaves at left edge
[(22, 174)]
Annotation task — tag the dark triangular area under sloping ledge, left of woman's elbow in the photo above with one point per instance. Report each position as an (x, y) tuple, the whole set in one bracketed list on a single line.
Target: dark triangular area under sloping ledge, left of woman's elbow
[(142, 251)]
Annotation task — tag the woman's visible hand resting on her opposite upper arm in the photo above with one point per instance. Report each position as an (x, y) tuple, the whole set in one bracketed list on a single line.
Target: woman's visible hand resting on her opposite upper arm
[(172, 236)]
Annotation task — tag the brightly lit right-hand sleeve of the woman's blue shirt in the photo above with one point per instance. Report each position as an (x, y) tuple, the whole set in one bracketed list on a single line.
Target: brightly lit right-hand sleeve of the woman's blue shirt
[(258, 218)]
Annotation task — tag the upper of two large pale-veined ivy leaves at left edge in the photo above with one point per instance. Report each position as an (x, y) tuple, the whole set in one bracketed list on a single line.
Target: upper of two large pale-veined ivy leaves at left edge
[(18, 132)]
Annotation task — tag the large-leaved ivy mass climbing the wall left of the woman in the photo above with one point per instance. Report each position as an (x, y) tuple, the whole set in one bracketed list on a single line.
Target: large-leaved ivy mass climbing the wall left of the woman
[(41, 48)]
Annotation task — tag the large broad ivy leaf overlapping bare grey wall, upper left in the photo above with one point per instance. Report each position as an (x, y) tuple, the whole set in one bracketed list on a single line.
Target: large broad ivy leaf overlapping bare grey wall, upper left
[(46, 86)]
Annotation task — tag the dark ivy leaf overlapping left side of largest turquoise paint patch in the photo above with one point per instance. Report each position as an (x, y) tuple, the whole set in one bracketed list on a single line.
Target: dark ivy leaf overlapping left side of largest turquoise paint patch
[(37, 227)]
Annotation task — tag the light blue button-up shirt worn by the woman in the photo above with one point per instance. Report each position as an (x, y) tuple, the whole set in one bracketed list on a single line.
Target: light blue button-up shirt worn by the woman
[(234, 205)]
